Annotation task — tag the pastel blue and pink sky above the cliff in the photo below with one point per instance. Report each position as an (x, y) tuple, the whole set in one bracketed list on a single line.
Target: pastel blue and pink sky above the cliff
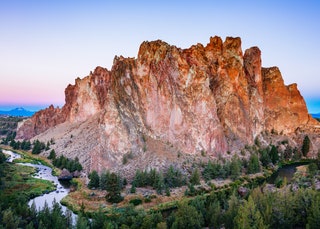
[(45, 45)]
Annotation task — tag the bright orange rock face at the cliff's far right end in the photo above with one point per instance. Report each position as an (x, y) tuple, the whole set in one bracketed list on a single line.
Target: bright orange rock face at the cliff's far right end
[(285, 108)]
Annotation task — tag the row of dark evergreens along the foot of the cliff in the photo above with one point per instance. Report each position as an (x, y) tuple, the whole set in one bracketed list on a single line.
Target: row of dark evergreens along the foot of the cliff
[(174, 177)]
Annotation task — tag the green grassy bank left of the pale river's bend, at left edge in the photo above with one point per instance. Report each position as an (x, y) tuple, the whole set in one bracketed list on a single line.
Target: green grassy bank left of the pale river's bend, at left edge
[(17, 186)]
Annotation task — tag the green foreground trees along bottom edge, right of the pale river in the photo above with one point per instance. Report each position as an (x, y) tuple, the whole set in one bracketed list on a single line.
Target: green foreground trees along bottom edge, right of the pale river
[(225, 208)]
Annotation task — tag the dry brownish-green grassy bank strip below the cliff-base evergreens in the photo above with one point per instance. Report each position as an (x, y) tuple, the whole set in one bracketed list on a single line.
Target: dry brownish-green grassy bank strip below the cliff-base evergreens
[(91, 201)]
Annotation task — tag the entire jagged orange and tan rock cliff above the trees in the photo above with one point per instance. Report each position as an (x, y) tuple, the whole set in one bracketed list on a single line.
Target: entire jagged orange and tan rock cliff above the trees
[(212, 99)]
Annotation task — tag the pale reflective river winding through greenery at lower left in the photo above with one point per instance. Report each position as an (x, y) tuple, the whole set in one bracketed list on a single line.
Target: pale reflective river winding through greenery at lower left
[(45, 172)]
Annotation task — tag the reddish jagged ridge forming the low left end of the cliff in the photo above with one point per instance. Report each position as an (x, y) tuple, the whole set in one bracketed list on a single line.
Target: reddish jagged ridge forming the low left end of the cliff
[(82, 100)]
